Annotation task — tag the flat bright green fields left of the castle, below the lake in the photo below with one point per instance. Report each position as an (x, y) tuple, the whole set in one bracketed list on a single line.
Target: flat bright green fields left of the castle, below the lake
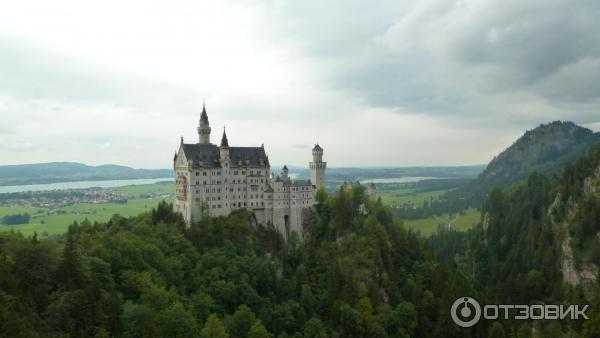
[(56, 221)]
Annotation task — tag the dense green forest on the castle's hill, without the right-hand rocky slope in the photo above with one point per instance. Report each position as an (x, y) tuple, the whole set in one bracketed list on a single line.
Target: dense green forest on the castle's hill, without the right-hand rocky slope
[(359, 273)]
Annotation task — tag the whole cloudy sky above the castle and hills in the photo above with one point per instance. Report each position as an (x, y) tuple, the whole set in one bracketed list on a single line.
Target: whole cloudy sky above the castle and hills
[(385, 83)]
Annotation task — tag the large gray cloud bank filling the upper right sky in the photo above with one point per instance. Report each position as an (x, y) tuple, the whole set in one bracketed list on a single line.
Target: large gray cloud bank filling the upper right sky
[(460, 59)]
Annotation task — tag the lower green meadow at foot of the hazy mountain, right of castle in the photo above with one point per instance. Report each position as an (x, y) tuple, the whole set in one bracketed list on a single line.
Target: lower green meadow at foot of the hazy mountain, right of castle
[(429, 225)]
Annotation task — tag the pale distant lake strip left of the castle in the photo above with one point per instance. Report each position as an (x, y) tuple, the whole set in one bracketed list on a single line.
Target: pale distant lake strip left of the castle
[(80, 185)]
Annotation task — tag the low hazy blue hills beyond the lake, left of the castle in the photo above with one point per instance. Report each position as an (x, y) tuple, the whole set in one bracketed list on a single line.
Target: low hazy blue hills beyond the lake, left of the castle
[(40, 173)]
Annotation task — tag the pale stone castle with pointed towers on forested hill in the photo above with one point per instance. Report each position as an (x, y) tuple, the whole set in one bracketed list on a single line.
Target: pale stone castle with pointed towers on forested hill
[(216, 180)]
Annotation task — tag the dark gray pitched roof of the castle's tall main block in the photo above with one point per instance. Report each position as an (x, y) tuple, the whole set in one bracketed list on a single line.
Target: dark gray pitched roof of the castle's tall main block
[(209, 155)]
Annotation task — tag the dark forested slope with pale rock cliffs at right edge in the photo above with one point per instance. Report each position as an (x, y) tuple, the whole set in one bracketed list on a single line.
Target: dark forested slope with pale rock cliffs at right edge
[(538, 243)]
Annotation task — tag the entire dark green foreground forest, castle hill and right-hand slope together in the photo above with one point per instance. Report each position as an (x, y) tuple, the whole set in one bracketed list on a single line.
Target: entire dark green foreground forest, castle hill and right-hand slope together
[(357, 273)]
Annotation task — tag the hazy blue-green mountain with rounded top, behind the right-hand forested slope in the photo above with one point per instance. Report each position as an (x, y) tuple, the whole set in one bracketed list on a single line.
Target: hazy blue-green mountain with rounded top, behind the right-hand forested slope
[(544, 150)]
